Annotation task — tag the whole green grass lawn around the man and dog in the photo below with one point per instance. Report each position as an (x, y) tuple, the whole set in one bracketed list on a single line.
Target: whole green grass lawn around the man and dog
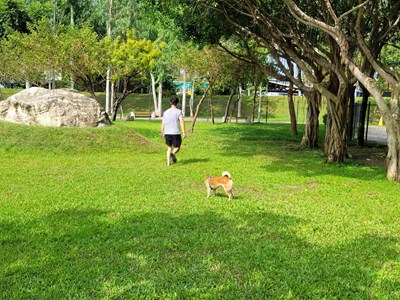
[(95, 214)]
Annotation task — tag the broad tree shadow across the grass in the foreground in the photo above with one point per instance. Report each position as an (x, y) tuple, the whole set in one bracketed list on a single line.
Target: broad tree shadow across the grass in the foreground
[(92, 253)]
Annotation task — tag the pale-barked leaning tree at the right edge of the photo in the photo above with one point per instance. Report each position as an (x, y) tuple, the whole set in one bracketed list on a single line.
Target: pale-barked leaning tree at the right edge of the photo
[(380, 13)]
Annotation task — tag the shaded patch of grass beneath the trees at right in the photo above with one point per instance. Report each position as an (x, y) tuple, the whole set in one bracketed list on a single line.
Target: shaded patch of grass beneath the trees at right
[(285, 154)]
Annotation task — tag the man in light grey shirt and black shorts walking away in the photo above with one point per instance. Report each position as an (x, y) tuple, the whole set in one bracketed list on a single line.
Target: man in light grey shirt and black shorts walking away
[(171, 121)]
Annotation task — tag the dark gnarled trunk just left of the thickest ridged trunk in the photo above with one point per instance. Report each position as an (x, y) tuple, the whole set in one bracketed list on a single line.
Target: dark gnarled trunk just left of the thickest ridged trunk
[(310, 135)]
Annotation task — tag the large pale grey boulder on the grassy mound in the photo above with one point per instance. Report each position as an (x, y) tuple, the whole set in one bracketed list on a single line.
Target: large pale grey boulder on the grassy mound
[(60, 107)]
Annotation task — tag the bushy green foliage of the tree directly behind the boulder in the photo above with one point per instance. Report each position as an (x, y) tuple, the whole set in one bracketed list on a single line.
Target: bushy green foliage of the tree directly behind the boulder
[(70, 51)]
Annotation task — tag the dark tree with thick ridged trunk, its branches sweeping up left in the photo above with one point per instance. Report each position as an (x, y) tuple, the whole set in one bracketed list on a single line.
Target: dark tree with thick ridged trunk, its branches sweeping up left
[(271, 26)]
